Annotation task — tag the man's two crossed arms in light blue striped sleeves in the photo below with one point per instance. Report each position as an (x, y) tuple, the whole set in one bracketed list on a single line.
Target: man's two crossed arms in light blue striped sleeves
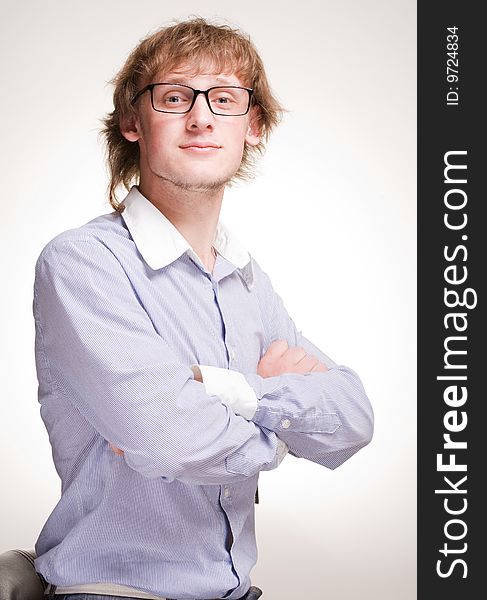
[(98, 349)]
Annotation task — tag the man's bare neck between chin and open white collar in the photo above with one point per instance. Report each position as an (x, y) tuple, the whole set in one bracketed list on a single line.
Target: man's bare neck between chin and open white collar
[(194, 213)]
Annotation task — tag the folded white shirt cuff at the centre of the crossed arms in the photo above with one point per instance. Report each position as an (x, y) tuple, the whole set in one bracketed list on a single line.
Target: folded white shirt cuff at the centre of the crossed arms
[(230, 386)]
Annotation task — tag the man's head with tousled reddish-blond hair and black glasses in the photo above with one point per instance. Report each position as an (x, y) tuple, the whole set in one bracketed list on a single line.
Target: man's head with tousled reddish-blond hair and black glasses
[(145, 134)]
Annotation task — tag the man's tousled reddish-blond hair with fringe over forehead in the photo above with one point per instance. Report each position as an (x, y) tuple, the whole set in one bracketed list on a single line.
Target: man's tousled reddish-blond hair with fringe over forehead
[(204, 47)]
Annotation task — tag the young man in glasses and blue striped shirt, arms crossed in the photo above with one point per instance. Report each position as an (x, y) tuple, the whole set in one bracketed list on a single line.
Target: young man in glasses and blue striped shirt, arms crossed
[(170, 373)]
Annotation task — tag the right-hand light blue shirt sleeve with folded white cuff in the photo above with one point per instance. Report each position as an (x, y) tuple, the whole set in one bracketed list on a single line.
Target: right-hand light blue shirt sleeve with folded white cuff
[(323, 417)]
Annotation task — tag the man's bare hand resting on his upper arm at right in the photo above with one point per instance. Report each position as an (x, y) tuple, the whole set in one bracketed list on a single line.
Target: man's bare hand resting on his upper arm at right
[(279, 359)]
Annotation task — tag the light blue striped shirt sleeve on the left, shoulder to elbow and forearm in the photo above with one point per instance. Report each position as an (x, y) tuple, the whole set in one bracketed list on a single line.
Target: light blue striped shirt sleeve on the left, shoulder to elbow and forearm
[(101, 353)]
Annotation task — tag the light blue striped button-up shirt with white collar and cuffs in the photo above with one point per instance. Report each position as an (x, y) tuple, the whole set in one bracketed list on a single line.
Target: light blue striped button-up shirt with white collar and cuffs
[(123, 307)]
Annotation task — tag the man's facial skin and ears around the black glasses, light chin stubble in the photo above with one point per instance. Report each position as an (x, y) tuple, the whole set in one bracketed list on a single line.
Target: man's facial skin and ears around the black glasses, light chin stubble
[(197, 150)]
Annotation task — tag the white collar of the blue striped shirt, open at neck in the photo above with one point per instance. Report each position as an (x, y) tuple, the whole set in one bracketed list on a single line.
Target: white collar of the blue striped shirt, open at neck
[(161, 243)]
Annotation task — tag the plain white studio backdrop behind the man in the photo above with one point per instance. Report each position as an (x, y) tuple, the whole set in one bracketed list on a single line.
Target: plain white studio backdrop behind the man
[(331, 218)]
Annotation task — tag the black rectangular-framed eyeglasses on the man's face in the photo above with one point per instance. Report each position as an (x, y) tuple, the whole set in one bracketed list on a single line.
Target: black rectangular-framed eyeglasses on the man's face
[(230, 100)]
